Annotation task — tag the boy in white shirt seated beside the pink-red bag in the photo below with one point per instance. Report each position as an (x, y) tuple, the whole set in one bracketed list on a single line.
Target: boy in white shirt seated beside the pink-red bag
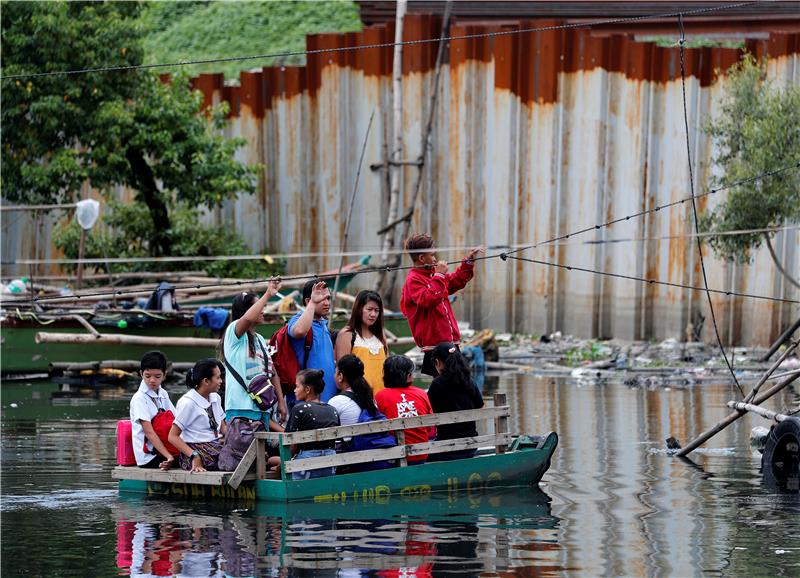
[(151, 406)]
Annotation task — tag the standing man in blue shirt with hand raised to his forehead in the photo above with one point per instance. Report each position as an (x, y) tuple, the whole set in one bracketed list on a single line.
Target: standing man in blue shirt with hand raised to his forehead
[(317, 299)]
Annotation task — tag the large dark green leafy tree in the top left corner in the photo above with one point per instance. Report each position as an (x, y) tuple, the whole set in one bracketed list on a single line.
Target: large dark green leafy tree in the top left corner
[(120, 128)]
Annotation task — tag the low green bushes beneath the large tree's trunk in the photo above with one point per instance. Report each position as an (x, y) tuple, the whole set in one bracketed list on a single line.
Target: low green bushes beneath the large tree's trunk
[(127, 229)]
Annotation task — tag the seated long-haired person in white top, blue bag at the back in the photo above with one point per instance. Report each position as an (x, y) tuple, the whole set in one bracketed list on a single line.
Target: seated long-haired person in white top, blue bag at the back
[(356, 405)]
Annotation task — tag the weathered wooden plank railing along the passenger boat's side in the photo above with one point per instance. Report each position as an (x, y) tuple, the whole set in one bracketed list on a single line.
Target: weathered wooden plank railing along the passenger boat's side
[(500, 439)]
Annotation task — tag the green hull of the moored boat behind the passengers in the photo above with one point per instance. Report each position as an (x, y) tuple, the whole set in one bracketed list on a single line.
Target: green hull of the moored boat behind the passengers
[(21, 353)]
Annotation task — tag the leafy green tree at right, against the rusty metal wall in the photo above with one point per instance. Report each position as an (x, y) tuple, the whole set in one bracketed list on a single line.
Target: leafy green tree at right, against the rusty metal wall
[(756, 131)]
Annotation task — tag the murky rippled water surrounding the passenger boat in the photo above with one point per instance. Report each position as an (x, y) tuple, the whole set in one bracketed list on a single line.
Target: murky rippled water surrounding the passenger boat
[(613, 503)]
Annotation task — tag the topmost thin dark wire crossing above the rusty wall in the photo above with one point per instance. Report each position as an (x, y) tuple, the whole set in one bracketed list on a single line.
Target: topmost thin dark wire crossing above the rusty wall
[(568, 26)]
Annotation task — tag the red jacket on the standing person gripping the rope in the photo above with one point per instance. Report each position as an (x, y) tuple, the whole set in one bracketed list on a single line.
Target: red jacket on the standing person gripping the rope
[(424, 302)]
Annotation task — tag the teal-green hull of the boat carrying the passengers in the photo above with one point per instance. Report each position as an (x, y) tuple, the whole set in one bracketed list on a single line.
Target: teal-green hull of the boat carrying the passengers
[(518, 468)]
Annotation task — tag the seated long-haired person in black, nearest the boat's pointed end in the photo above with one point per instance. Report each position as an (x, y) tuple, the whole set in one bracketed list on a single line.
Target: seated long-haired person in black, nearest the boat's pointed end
[(453, 390)]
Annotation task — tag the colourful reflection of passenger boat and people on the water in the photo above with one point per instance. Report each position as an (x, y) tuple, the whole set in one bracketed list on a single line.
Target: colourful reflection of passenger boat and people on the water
[(418, 535)]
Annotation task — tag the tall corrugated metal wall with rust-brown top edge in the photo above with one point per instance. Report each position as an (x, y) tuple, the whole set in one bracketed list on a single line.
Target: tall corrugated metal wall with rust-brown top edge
[(536, 135)]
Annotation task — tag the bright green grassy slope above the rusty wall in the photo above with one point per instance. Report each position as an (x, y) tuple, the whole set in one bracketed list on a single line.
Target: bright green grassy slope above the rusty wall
[(197, 30)]
